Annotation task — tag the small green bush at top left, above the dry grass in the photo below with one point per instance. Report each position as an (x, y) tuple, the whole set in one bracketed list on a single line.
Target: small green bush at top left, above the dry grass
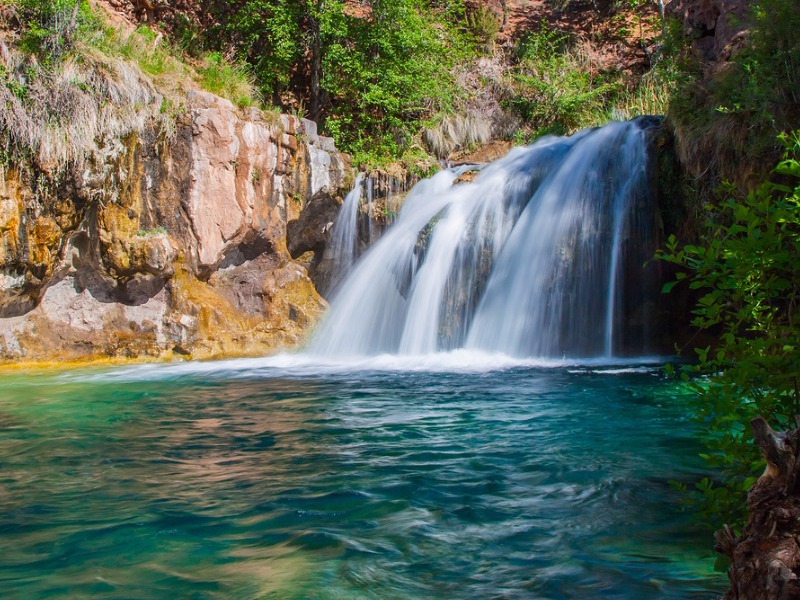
[(50, 27)]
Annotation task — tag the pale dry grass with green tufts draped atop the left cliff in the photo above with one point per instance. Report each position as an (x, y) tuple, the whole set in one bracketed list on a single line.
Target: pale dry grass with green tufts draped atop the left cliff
[(114, 82)]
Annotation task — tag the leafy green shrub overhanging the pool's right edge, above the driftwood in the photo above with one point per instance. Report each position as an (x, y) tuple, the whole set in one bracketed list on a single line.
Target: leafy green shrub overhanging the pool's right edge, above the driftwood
[(748, 271)]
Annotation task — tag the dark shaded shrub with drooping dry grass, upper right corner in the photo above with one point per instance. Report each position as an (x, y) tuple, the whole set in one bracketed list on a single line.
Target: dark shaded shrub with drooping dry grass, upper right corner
[(727, 122)]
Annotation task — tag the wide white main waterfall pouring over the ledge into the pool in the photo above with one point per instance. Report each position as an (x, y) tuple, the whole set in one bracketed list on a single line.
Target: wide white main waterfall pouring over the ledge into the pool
[(531, 259)]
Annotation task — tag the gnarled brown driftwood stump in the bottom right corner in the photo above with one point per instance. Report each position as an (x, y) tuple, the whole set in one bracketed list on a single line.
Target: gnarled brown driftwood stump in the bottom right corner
[(765, 558)]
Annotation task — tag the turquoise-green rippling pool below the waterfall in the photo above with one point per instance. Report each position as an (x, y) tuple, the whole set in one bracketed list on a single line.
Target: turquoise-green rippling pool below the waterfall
[(287, 478)]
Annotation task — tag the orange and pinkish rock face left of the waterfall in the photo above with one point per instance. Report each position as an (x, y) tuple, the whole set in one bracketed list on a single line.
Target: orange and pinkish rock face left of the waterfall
[(175, 242)]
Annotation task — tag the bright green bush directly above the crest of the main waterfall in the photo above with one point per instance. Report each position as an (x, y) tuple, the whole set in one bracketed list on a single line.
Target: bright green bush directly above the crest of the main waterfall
[(557, 88)]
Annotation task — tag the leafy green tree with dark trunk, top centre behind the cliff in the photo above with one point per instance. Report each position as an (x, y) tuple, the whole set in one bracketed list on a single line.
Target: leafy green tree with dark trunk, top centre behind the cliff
[(368, 78)]
